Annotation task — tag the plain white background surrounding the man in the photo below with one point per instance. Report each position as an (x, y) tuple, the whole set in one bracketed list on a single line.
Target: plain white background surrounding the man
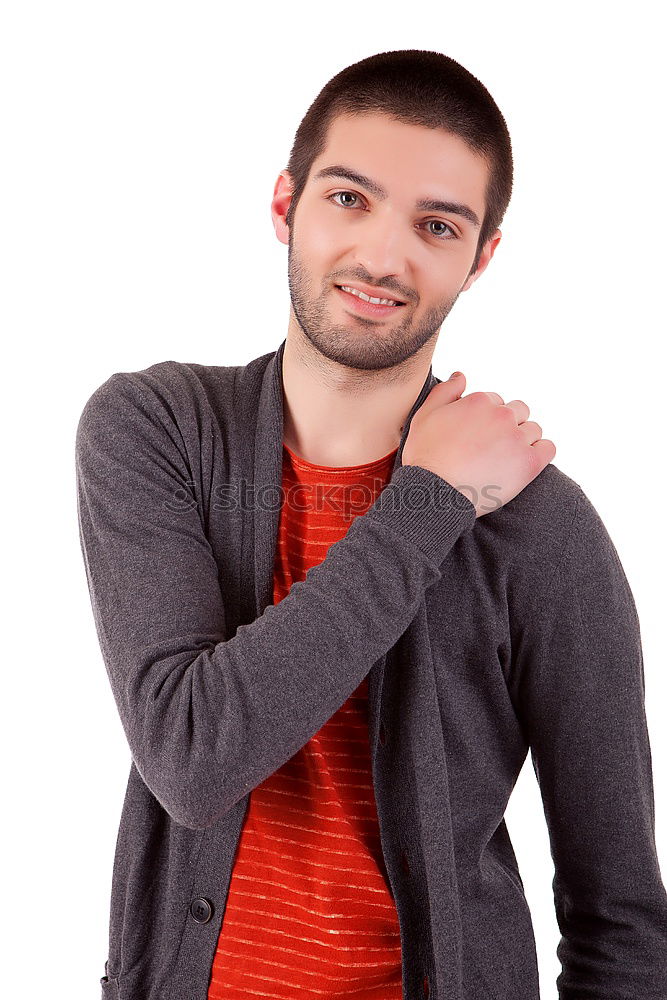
[(141, 142)]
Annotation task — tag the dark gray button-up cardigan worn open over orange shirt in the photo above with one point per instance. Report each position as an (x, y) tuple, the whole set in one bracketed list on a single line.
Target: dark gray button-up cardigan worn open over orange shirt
[(484, 639)]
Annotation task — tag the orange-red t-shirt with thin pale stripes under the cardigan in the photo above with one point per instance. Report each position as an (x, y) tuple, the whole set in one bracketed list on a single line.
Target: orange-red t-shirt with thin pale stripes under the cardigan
[(309, 910)]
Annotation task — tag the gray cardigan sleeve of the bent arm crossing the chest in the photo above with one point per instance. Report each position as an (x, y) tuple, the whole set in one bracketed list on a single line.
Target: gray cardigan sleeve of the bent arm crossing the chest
[(209, 716)]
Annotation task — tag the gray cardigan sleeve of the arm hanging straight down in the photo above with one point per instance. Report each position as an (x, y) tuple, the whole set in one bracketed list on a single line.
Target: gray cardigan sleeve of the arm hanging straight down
[(580, 692)]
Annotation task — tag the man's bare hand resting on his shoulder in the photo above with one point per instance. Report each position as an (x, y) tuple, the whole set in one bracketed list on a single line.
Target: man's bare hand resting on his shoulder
[(477, 443)]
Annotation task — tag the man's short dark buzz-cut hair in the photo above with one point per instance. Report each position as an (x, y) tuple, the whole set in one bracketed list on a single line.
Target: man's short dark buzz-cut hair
[(416, 87)]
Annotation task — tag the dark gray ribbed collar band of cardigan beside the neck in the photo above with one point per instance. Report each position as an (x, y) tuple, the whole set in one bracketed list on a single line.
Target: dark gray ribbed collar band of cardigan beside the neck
[(268, 467)]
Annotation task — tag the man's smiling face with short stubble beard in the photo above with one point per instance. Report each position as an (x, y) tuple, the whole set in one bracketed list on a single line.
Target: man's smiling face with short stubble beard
[(343, 233)]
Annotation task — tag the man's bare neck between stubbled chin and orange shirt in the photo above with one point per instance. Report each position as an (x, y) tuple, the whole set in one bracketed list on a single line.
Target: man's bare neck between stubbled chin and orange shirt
[(338, 417)]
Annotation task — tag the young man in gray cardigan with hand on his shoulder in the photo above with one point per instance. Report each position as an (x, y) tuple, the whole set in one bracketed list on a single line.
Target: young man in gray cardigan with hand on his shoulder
[(339, 602)]
